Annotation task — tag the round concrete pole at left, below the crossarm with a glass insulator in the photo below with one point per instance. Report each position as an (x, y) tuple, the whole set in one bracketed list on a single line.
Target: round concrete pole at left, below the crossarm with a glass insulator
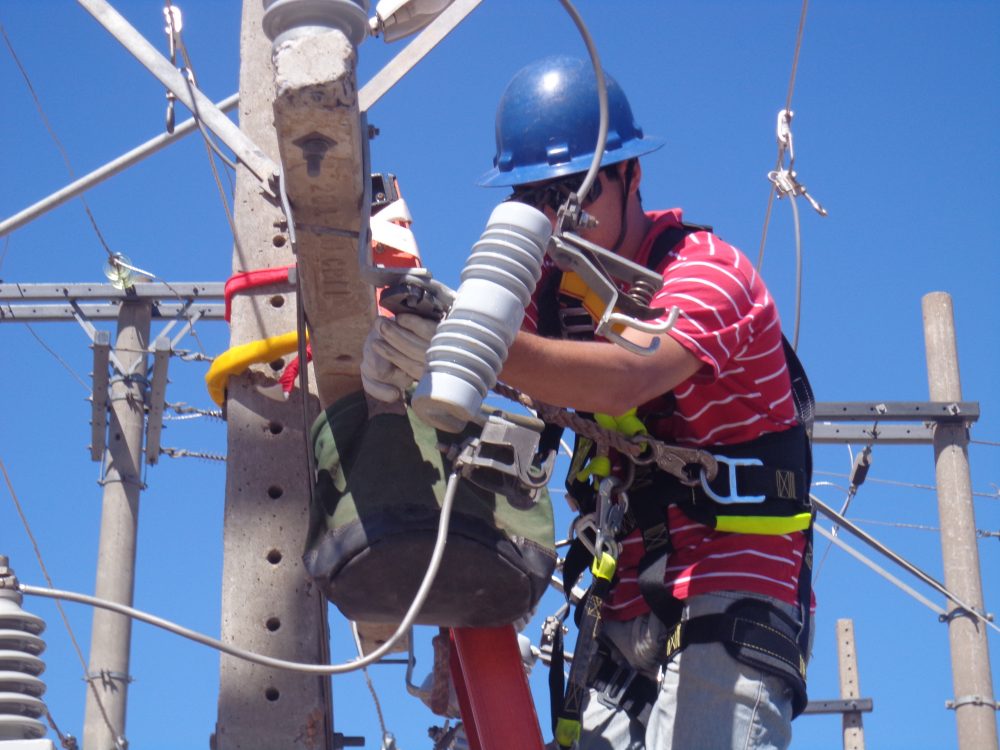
[(104, 721)]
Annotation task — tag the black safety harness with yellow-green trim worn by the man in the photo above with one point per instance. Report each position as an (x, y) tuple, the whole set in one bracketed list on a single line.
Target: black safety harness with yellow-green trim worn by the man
[(762, 487)]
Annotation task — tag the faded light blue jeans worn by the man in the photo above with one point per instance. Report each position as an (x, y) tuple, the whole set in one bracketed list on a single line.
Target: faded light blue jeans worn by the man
[(706, 701)]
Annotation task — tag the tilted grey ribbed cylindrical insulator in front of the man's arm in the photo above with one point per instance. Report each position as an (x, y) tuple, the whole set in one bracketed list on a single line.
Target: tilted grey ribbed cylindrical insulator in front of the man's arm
[(470, 345)]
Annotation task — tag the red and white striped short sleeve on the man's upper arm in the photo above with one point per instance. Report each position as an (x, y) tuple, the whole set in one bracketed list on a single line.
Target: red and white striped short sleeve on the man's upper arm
[(721, 302)]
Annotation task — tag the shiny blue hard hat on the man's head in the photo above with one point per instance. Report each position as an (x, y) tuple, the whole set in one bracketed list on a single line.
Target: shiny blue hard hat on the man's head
[(548, 119)]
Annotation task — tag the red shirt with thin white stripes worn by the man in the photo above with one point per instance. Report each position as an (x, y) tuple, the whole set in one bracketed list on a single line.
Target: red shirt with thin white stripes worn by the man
[(729, 321)]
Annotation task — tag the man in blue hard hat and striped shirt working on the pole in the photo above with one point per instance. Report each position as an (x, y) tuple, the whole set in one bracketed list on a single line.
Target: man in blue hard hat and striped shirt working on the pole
[(703, 640)]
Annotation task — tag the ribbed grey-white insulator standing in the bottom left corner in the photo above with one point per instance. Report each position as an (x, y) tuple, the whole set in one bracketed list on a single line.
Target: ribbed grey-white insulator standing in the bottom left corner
[(21, 690)]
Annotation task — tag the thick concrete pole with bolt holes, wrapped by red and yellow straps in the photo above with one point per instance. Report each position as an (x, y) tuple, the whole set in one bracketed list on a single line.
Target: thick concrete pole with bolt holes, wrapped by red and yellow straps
[(268, 604)]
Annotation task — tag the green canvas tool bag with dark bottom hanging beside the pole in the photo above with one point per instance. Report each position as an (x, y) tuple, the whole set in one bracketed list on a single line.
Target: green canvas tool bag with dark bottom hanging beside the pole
[(380, 485)]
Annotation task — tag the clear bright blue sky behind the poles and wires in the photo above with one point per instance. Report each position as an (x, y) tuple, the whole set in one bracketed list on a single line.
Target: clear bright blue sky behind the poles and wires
[(896, 115)]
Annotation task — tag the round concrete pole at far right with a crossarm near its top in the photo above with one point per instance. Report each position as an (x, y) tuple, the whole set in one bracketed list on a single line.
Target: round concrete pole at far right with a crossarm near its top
[(974, 703)]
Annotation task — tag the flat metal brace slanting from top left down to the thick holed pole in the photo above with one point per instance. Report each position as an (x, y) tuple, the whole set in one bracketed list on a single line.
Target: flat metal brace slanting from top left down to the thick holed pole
[(246, 150)]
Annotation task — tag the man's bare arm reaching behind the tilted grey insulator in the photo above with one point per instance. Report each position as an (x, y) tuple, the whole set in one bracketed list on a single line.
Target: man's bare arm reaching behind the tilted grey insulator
[(596, 376)]
